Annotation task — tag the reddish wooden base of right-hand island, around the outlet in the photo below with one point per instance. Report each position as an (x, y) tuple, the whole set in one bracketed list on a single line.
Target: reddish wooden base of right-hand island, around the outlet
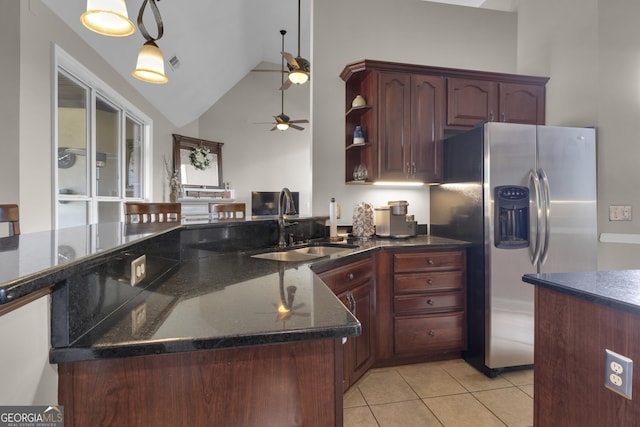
[(571, 335)]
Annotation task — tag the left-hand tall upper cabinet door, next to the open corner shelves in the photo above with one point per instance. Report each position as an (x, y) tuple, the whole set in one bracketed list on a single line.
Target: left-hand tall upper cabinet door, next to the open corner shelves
[(394, 120)]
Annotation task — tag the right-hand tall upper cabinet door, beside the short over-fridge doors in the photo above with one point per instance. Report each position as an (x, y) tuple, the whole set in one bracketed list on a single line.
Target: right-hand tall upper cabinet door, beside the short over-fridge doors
[(427, 100)]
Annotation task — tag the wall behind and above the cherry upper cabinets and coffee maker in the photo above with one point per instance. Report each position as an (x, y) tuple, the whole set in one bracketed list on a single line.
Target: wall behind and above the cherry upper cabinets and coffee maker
[(410, 31)]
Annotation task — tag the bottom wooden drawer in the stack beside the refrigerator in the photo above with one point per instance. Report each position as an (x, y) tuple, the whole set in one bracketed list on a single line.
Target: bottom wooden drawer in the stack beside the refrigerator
[(428, 333)]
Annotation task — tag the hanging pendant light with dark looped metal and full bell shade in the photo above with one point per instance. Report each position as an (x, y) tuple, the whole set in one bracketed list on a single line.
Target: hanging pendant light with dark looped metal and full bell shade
[(150, 64)]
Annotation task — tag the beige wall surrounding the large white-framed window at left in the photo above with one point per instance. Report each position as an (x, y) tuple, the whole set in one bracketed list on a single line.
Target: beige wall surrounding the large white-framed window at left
[(34, 125)]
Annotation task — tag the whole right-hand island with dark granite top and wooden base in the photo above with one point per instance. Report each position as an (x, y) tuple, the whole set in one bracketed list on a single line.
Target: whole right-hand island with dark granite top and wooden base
[(577, 317)]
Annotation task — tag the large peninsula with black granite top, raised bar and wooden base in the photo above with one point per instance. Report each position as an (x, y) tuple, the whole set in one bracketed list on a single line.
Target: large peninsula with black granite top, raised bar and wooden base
[(212, 335)]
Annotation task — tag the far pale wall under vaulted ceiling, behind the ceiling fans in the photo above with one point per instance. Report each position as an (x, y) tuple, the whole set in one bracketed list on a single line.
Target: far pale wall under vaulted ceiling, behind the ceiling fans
[(253, 157)]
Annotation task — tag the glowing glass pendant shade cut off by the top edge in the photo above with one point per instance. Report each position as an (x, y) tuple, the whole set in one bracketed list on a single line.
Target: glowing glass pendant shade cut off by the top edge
[(108, 17)]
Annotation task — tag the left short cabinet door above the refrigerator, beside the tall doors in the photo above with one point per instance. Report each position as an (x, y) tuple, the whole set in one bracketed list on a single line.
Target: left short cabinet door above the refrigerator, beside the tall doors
[(470, 102)]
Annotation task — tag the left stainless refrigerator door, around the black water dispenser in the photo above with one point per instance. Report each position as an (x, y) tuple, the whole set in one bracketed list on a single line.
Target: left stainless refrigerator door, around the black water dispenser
[(510, 157)]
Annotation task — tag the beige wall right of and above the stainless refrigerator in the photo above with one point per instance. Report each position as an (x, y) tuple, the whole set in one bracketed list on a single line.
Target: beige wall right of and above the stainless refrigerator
[(590, 49)]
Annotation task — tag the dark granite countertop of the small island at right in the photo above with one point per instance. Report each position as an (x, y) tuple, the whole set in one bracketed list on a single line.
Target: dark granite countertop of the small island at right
[(619, 290)]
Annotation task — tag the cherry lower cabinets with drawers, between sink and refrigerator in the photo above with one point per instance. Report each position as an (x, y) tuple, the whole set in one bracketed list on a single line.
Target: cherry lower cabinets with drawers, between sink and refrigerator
[(410, 302)]
